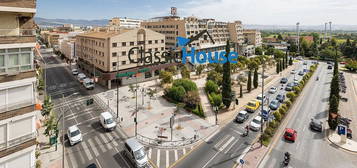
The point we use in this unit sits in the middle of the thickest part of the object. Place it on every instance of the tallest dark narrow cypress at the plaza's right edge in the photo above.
(227, 83)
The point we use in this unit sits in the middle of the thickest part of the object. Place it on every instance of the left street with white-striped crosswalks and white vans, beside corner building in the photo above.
(99, 147)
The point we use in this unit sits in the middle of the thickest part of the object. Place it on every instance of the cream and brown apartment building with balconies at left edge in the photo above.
(17, 84)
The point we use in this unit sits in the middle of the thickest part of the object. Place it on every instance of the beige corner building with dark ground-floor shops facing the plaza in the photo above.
(106, 54)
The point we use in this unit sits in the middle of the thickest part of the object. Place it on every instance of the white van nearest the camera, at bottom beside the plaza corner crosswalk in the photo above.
(136, 153)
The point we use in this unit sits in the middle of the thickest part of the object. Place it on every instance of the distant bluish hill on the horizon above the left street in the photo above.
(77, 22)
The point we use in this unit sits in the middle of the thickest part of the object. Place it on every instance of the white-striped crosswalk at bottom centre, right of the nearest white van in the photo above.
(164, 158)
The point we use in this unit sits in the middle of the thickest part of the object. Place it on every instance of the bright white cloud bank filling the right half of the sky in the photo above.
(282, 12)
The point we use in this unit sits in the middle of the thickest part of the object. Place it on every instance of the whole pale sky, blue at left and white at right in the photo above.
(265, 12)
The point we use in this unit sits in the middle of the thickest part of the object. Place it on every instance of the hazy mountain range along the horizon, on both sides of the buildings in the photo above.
(102, 22)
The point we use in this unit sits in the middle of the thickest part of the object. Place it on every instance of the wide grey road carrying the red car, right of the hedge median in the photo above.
(311, 148)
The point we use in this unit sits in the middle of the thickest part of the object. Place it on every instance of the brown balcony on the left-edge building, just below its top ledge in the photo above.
(11, 36)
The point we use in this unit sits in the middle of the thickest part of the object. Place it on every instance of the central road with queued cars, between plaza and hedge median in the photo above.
(225, 146)
